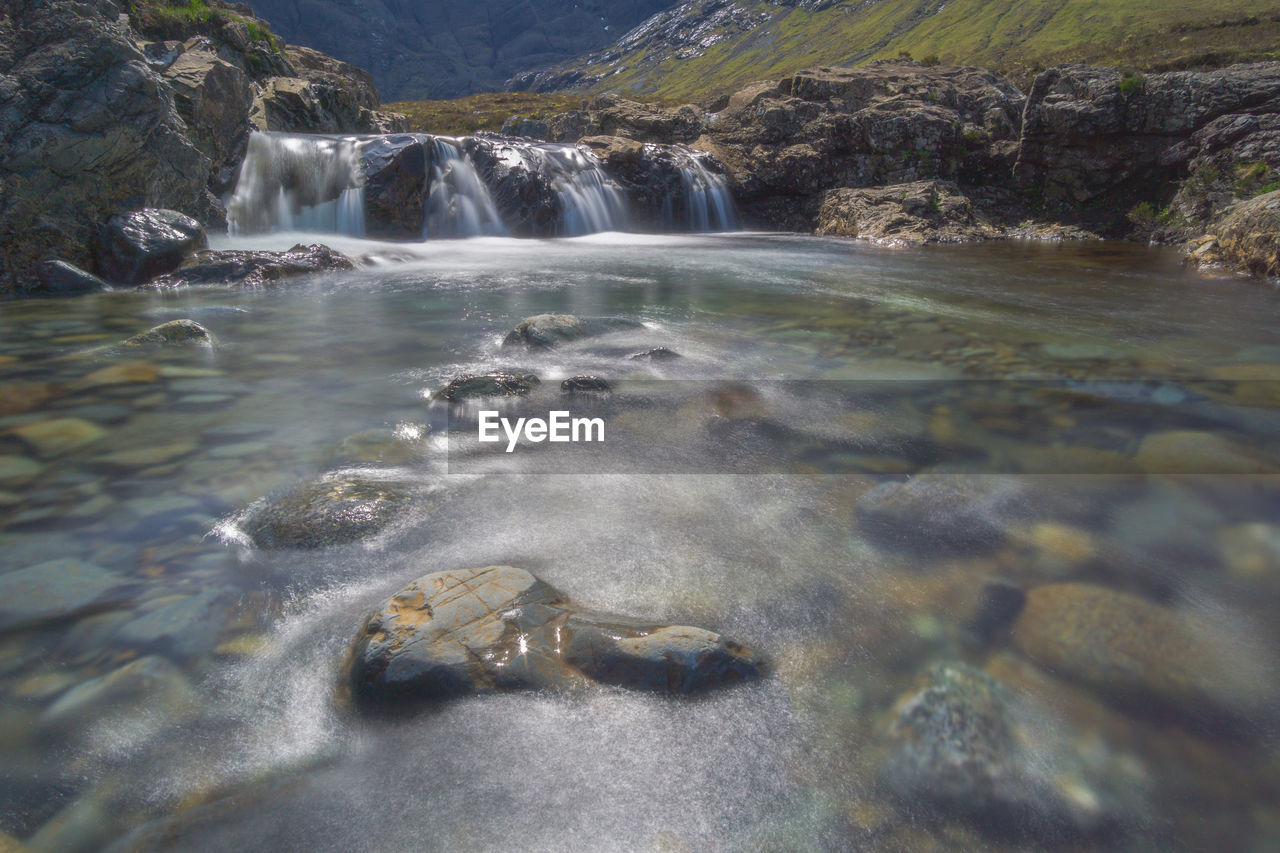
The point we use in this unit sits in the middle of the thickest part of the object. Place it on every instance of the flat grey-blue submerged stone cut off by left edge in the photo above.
(54, 591)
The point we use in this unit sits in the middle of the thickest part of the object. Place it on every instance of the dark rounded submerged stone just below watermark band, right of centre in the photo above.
(938, 516)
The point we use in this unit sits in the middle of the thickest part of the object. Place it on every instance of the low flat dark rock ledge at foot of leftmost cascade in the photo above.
(254, 268)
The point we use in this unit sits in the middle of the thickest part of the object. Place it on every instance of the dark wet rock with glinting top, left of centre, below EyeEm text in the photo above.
(327, 513)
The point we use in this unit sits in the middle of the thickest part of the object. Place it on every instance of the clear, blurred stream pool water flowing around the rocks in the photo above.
(248, 743)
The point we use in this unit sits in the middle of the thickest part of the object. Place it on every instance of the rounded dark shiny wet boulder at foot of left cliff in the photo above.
(138, 247)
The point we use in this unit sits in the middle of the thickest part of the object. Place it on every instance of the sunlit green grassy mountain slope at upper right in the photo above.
(711, 47)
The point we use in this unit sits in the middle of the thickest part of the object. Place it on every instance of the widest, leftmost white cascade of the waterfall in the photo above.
(299, 183)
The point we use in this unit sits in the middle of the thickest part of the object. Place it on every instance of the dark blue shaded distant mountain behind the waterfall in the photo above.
(435, 49)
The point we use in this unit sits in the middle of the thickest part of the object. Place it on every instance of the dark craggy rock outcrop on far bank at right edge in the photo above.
(1098, 144)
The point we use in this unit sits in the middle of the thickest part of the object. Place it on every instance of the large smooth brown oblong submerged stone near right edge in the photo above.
(1145, 656)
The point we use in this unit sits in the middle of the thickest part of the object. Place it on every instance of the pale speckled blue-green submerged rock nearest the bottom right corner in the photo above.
(966, 746)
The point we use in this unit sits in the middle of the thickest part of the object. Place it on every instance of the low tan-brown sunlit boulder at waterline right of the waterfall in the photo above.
(927, 212)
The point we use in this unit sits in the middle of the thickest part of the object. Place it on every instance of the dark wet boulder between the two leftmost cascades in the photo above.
(397, 180)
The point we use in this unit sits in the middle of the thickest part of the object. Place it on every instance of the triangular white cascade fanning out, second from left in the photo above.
(459, 203)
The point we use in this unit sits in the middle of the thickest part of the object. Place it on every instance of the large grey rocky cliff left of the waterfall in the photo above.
(107, 108)
